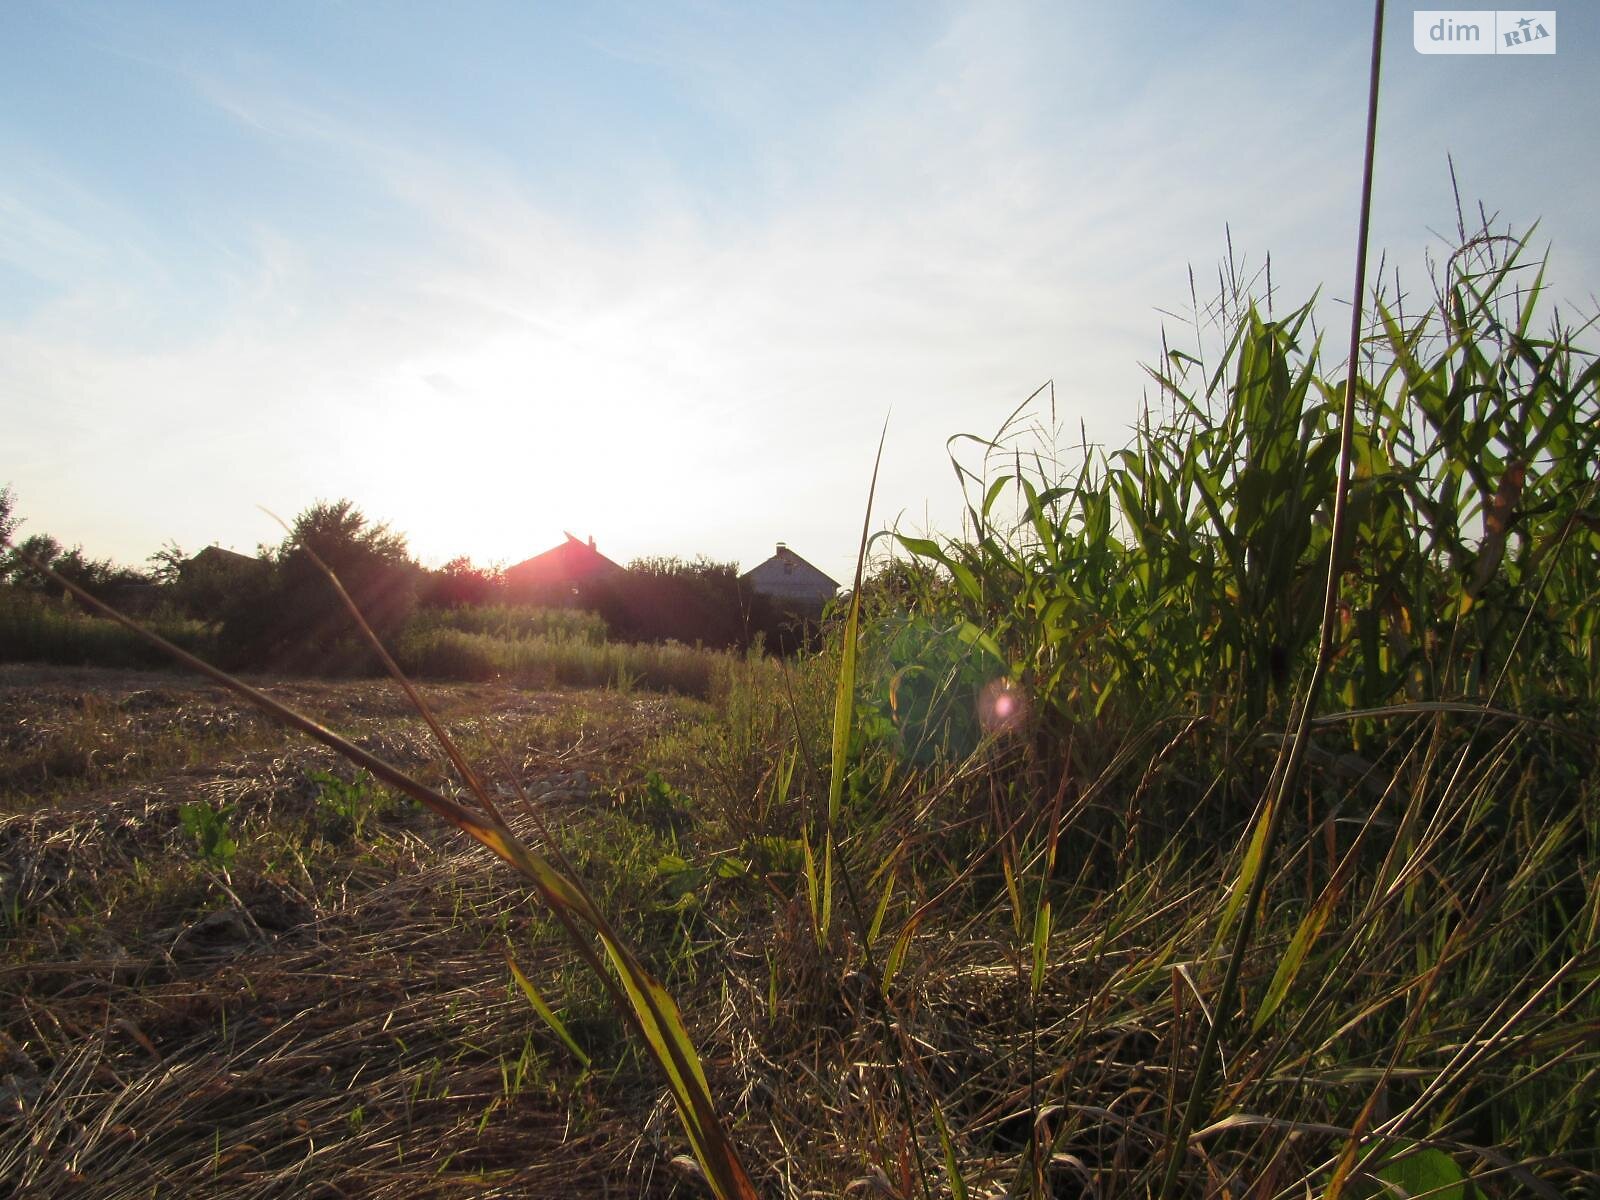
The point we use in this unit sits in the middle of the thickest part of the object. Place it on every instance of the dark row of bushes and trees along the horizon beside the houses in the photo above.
(278, 609)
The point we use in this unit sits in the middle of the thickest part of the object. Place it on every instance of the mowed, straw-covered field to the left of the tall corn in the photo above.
(321, 1004)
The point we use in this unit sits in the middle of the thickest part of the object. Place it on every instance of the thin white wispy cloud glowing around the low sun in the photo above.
(487, 364)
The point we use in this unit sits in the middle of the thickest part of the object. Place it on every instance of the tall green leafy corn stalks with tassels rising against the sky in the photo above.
(1190, 564)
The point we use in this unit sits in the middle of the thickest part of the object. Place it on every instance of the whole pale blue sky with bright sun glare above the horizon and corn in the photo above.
(660, 273)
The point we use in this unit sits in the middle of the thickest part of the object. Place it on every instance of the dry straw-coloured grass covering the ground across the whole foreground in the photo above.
(332, 1015)
